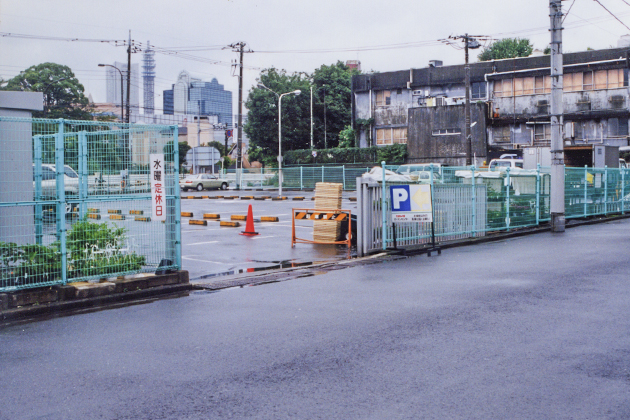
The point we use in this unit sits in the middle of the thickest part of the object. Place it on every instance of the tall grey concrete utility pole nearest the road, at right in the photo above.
(557, 110)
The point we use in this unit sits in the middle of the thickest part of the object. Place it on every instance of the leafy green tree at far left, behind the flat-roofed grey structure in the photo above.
(63, 94)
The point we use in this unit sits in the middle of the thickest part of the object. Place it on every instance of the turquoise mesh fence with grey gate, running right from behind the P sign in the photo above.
(470, 201)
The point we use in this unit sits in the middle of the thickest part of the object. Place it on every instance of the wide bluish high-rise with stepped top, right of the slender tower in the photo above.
(191, 95)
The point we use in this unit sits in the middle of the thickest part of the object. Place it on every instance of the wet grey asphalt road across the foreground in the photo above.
(535, 327)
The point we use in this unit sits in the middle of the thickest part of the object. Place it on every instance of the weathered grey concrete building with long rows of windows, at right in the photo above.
(424, 109)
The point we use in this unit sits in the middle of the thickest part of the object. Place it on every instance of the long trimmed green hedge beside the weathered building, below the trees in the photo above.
(393, 154)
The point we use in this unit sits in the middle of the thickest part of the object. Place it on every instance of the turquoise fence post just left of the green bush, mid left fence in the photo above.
(61, 199)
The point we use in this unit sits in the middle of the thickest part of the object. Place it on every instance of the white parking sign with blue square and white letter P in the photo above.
(411, 203)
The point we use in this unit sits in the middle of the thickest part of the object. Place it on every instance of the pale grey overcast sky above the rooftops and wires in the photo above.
(296, 35)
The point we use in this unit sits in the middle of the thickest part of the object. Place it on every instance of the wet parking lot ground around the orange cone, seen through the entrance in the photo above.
(211, 251)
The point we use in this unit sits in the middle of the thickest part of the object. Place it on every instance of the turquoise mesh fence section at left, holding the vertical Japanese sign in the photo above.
(75, 201)
